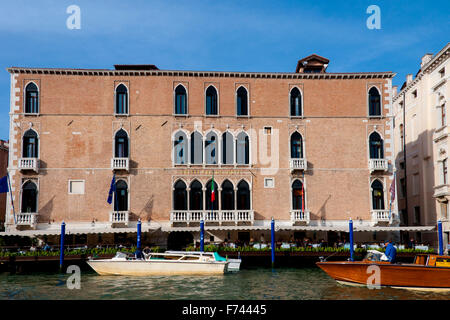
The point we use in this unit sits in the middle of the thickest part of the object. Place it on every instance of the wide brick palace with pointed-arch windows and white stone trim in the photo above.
(310, 149)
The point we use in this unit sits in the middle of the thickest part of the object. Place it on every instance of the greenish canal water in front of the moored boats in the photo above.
(248, 284)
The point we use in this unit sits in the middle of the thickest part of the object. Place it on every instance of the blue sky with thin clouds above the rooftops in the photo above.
(212, 35)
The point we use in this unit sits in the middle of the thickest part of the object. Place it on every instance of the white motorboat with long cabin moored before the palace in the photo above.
(160, 264)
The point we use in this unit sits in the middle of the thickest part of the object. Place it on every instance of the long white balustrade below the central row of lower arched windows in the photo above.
(219, 216)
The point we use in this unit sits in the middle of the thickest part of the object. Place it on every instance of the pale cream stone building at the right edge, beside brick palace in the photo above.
(421, 146)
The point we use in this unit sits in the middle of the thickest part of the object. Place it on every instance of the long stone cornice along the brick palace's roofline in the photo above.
(220, 74)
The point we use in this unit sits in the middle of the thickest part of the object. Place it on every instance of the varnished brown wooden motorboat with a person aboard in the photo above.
(429, 272)
